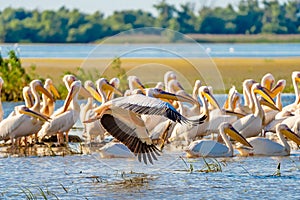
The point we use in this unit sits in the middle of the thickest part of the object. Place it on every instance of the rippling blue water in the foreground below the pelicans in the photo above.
(91, 177)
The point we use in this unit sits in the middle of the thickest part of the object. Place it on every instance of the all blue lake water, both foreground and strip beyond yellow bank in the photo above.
(91, 177)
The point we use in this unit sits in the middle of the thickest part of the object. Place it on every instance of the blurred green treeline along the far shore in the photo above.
(64, 25)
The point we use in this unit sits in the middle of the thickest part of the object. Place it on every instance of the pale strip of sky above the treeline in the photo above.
(106, 7)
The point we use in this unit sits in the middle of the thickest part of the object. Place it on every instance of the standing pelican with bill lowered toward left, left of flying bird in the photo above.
(63, 122)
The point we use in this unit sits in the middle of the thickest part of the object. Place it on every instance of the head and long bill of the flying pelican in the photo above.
(158, 93)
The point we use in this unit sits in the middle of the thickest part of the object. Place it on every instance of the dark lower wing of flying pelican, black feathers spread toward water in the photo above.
(129, 136)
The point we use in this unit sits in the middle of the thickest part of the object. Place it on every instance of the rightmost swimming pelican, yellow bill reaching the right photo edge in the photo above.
(266, 147)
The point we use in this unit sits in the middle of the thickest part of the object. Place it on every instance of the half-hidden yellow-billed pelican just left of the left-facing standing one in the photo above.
(49, 105)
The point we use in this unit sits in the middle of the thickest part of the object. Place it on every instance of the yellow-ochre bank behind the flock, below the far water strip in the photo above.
(231, 71)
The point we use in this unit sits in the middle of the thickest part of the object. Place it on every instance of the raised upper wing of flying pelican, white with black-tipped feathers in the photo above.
(141, 104)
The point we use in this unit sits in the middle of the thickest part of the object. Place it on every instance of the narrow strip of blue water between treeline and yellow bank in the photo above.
(193, 50)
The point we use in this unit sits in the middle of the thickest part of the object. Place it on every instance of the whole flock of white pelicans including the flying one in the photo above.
(135, 122)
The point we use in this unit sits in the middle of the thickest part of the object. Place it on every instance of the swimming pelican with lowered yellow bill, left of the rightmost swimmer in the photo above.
(211, 148)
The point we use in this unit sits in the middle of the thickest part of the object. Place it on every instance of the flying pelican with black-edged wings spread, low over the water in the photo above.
(121, 117)
